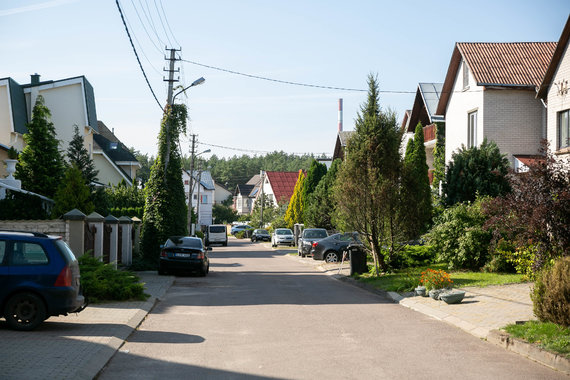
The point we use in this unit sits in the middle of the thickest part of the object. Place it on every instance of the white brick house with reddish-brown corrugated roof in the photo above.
(490, 92)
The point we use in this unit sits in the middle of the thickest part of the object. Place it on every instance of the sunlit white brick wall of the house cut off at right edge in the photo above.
(558, 102)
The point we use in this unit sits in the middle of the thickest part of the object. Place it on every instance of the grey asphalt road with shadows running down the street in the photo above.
(259, 314)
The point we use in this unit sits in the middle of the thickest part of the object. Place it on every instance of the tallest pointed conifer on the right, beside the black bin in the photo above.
(368, 183)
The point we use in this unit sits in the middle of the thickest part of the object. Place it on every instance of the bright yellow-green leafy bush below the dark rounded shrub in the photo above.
(459, 238)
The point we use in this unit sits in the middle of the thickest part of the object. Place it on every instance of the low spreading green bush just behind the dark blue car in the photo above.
(102, 282)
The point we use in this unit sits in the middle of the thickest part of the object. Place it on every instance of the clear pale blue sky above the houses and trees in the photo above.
(329, 43)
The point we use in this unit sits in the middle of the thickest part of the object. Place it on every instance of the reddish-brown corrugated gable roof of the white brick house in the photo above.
(498, 64)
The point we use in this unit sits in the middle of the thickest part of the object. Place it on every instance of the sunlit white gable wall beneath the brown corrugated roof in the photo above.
(460, 103)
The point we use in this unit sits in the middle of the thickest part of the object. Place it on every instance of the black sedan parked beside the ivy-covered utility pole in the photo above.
(184, 253)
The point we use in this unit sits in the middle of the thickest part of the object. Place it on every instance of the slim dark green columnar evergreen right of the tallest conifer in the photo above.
(416, 207)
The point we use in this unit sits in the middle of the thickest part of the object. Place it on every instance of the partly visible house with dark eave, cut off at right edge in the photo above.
(554, 91)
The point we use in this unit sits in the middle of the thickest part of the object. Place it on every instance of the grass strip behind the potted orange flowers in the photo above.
(408, 279)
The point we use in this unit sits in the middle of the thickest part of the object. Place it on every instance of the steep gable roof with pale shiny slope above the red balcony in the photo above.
(425, 105)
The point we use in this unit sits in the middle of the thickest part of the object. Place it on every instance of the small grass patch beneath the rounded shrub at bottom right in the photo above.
(547, 335)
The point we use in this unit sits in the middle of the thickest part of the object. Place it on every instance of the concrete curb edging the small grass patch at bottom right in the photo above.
(531, 351)
